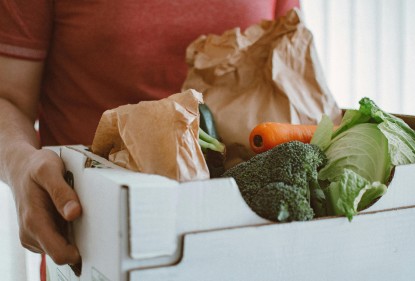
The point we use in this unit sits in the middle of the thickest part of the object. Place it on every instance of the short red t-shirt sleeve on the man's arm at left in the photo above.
(25, 28)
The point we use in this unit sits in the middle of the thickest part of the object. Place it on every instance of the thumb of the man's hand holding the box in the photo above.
(49, 175)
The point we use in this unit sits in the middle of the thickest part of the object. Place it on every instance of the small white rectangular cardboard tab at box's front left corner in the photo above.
(153, 216)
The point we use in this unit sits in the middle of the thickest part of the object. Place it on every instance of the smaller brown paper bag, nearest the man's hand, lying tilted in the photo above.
(155, 137)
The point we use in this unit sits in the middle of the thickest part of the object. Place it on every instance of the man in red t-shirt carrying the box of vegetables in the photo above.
(65, 62)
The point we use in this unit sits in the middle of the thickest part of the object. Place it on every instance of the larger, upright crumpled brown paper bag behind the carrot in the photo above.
(270, 72)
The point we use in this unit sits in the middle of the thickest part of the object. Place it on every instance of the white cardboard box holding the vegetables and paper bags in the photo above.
(140, 227)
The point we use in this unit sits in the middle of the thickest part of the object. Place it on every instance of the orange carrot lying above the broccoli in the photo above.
(267, 135)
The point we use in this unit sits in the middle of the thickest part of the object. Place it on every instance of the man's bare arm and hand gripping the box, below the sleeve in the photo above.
(41, 194)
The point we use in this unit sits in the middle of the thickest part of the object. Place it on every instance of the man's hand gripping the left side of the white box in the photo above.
(45, 203)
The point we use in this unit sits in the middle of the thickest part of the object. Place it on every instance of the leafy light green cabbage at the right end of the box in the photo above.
(361, 154)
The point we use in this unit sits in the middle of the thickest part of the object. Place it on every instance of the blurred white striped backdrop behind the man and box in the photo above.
(366, 48)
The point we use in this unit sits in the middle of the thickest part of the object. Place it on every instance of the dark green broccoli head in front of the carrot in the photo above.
(279, 184)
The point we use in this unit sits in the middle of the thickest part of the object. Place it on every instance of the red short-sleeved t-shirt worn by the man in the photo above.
(102, 54)
